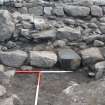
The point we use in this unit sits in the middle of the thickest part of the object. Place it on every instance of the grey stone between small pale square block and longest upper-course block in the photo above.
(58, 11)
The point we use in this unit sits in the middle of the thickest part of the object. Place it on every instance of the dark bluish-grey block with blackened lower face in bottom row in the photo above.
(69, 59)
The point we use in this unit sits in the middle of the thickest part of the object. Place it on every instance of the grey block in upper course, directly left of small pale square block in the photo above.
(37, 11)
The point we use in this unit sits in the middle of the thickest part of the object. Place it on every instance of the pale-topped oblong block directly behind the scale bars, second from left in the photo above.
(44, 59)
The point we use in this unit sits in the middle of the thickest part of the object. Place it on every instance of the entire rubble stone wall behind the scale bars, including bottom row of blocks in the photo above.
(46, 34)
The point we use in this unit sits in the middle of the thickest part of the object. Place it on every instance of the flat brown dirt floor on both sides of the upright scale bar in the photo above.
(51, 86)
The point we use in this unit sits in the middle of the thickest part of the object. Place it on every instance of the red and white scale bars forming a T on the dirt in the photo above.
(39, 72)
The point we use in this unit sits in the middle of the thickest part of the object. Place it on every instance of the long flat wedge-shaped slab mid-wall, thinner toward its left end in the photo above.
(48, 35)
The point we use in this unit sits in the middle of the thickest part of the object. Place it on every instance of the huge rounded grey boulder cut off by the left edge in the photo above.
(7, 26)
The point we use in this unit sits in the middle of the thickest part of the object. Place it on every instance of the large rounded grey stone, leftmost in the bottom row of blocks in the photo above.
(13, 58)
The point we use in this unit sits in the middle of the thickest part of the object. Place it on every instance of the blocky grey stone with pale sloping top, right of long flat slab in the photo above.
(68, 33)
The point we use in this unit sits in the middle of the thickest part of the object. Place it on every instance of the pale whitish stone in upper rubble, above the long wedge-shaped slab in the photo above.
(41, 24)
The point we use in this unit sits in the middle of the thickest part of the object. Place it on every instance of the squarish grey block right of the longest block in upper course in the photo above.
(96, 11)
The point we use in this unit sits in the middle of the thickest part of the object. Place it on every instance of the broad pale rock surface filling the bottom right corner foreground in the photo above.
(83, 94)
